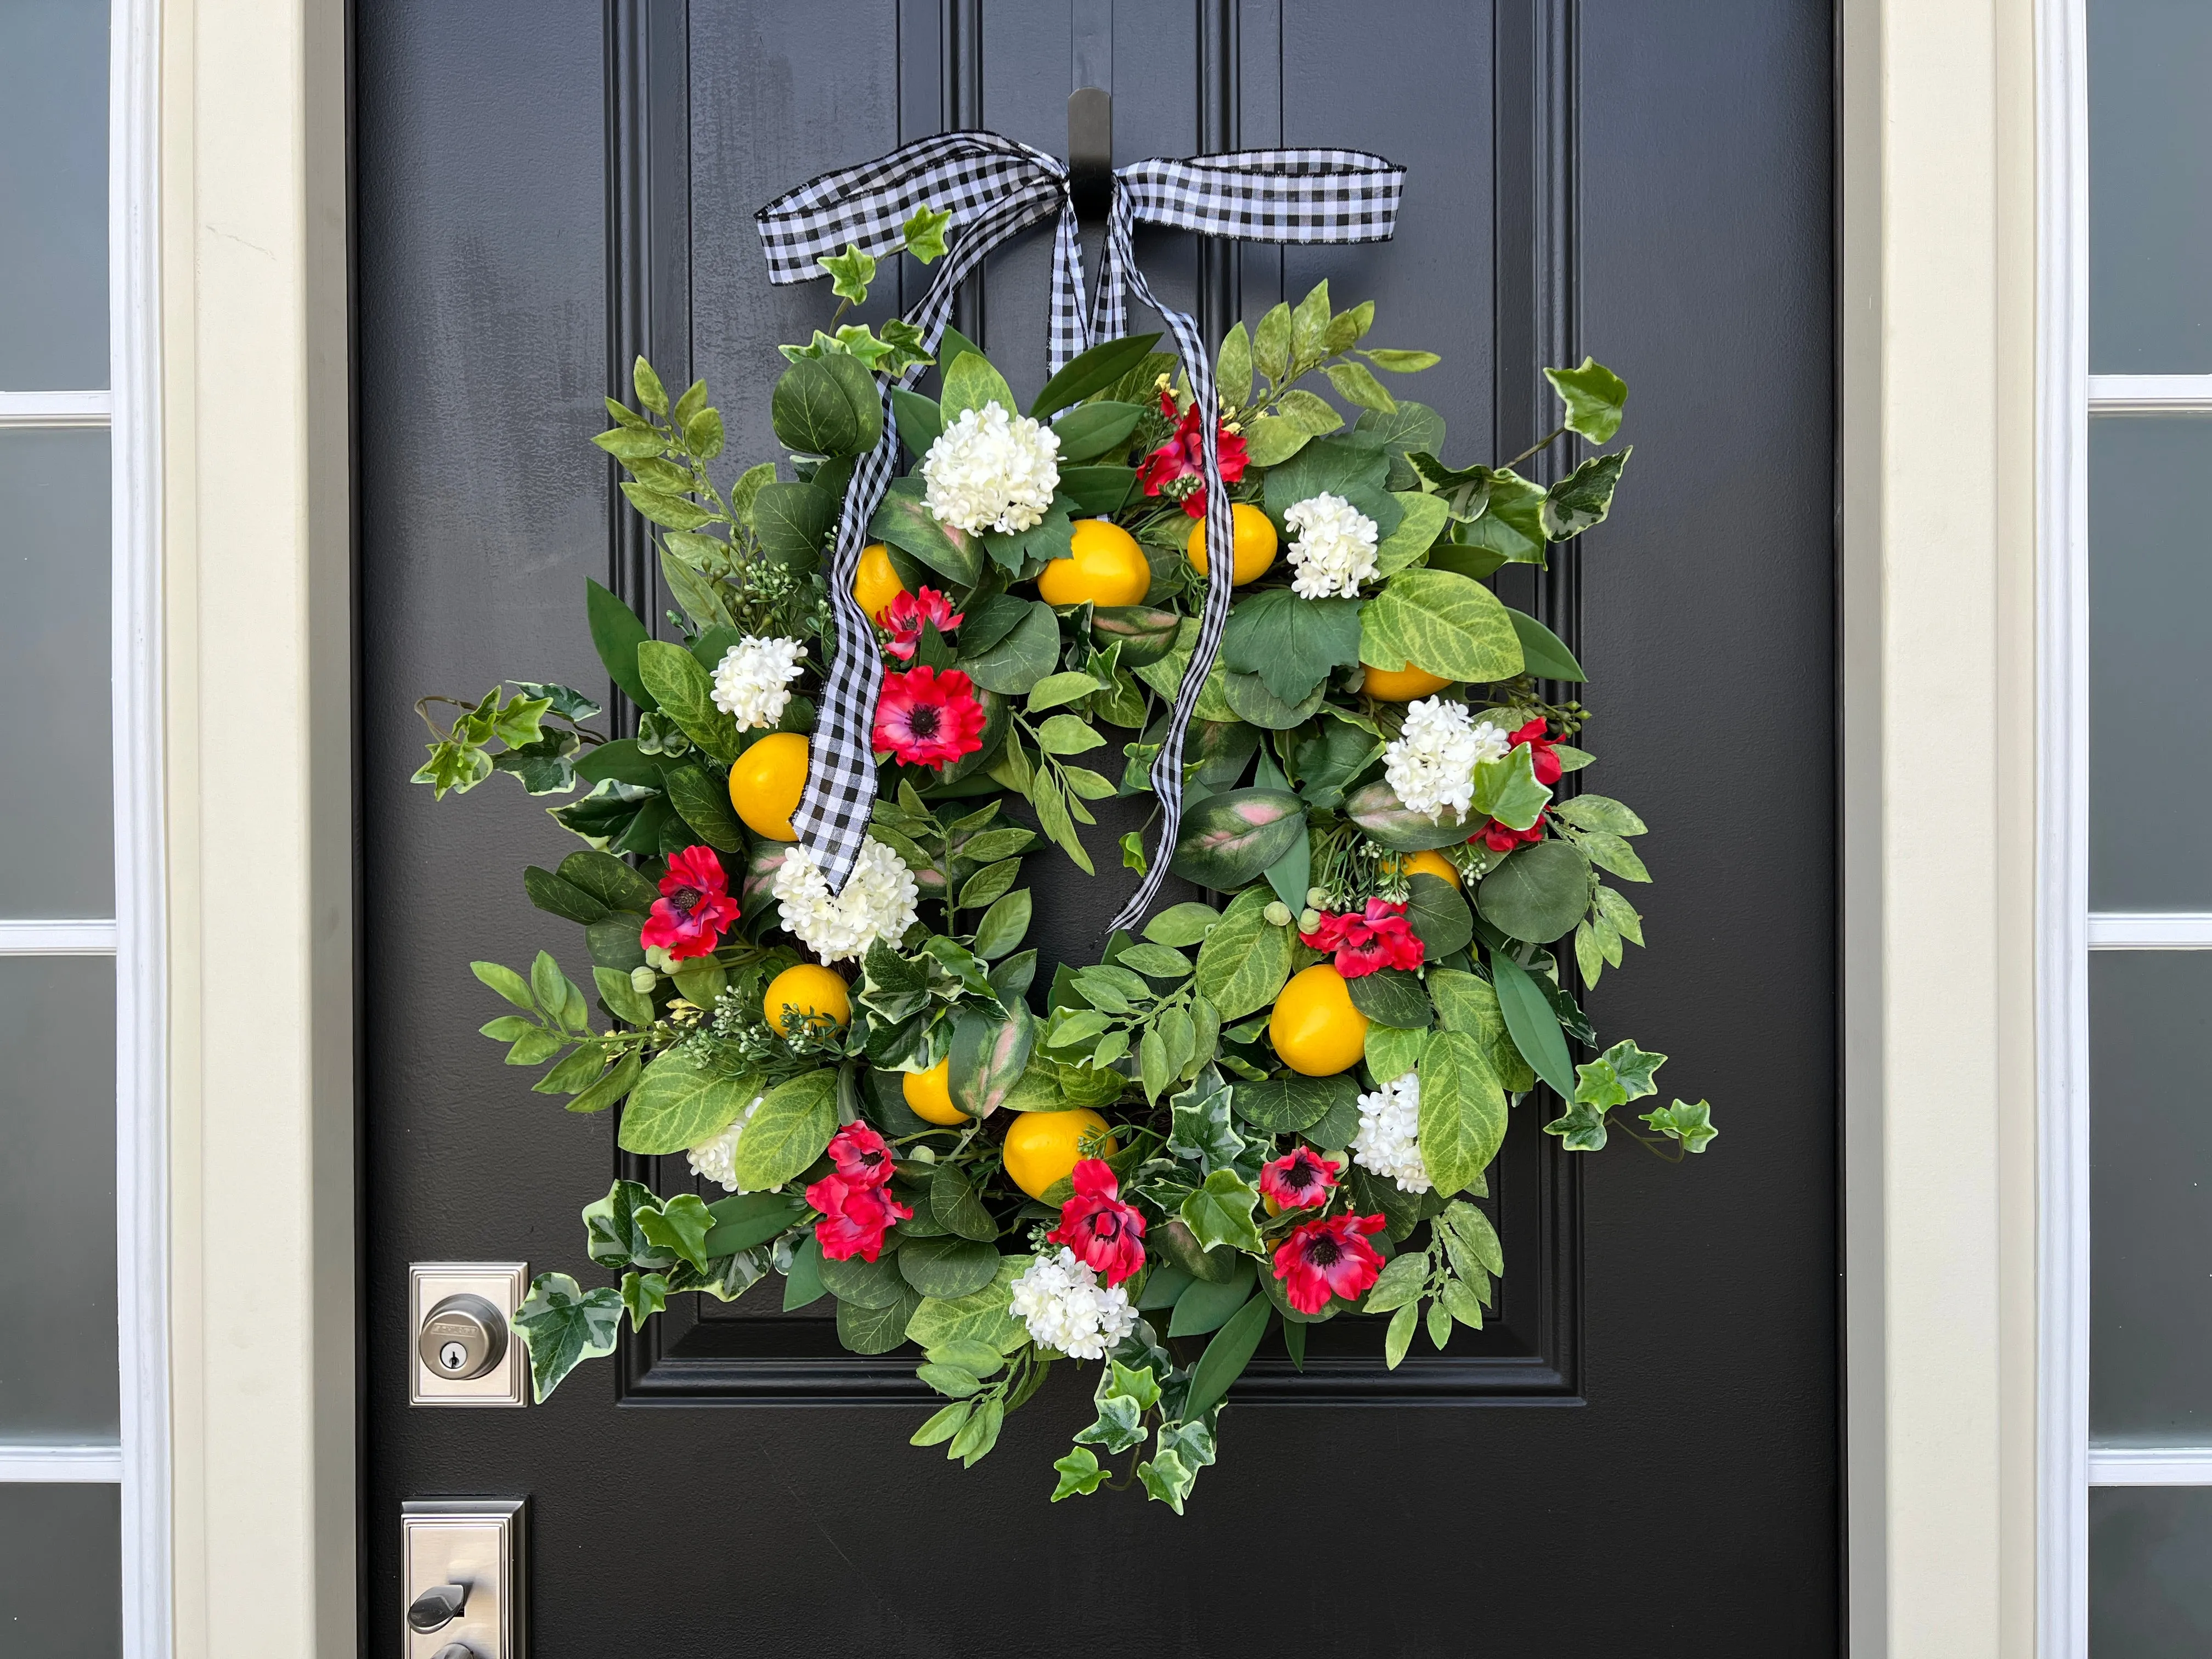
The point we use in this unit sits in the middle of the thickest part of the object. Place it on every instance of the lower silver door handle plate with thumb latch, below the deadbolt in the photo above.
(463, 1578)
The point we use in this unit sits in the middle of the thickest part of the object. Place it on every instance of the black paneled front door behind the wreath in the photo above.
(1642, 1452)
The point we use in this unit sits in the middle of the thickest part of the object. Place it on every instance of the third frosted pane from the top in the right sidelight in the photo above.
(2151, 1193)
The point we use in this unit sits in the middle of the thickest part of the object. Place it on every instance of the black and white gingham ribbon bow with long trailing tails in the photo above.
(994, 191)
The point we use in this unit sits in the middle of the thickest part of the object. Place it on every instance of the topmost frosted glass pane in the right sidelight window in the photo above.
(2149, 187)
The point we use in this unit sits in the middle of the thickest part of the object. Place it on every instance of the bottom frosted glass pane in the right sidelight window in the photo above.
(2149, 1572)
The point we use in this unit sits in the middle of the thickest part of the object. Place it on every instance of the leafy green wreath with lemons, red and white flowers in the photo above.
(1246, 1116)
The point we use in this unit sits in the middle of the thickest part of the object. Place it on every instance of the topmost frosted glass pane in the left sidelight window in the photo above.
(54, 196)
